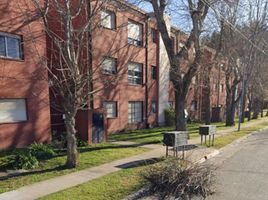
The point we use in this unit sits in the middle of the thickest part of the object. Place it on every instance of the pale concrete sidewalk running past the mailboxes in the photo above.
(56, 184)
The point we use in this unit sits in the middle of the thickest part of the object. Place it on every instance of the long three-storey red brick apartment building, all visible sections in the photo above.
(127, 46)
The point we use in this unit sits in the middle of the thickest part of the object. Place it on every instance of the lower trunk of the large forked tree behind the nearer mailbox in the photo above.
(180, 115)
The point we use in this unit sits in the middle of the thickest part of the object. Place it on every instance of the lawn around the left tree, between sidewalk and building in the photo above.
(89, 156)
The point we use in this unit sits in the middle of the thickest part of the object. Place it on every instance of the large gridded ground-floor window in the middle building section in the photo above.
(135, 112)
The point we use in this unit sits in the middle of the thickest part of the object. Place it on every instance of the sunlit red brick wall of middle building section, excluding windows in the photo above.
(114, 43)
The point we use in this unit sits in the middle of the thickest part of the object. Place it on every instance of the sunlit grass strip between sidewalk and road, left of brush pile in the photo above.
(114, 186)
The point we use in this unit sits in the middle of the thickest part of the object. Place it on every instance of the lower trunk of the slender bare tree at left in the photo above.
(72, 154)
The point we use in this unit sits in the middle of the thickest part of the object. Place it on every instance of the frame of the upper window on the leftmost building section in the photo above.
(12, 36)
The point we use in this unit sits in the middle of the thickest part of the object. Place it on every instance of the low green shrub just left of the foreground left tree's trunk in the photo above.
(41, 151)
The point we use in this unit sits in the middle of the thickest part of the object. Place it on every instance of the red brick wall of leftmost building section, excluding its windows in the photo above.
(22, 79)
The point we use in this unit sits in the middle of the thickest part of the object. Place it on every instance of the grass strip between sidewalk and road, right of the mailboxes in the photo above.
(229, 138)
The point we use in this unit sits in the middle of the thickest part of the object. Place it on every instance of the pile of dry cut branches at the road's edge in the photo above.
(179, 179)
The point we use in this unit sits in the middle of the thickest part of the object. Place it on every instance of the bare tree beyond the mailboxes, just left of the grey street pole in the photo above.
(227, 44)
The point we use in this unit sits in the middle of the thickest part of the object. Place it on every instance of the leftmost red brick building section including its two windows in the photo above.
(24, 102)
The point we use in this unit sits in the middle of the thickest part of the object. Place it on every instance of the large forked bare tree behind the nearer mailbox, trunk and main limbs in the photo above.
(198, 12)
